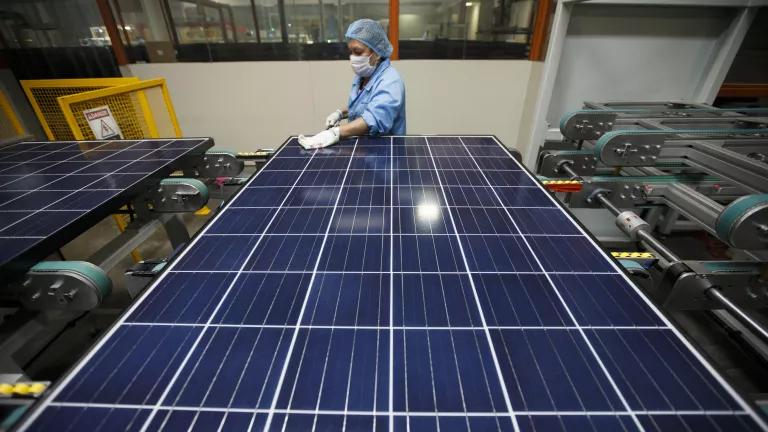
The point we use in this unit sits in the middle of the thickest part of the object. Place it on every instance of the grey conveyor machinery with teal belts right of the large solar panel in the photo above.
(665, 170)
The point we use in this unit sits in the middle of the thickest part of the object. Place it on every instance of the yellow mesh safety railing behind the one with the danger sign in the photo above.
(43, 95)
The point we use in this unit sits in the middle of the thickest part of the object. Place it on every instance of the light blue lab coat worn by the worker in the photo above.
(381, 104)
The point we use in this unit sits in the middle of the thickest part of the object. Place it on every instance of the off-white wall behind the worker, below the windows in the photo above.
(250, 105)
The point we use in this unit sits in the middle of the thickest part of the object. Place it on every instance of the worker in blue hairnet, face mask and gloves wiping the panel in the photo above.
(376, 103)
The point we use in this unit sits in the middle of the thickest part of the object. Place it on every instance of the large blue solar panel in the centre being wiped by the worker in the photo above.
(393, 284)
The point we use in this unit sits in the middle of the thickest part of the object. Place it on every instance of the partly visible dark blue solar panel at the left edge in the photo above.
(45, 187)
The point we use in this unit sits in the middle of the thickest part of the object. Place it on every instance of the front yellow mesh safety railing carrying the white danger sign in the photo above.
(141, 110)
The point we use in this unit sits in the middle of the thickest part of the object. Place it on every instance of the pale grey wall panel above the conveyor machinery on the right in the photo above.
(620, 52)
